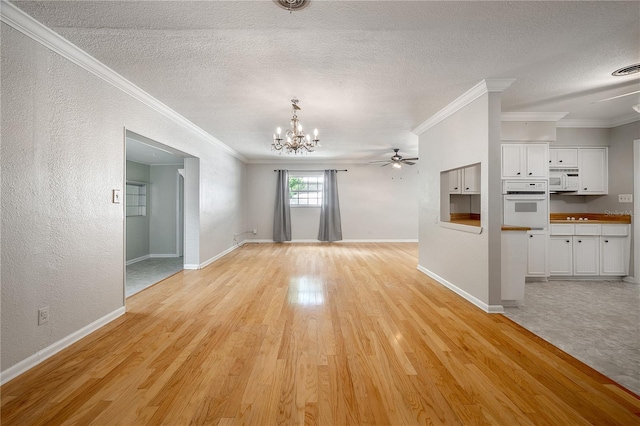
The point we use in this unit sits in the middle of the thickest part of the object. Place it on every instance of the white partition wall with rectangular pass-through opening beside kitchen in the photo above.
(467, 261)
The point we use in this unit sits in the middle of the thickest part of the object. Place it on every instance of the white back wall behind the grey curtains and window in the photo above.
(376, 203)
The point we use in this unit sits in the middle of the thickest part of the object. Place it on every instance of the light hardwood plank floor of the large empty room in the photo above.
(329, 334)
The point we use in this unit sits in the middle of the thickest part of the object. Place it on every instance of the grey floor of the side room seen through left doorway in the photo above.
(145, 273)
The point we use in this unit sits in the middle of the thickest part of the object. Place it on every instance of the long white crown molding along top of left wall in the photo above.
(20, 21)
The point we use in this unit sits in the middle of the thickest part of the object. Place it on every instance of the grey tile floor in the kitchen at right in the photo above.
(597, 322)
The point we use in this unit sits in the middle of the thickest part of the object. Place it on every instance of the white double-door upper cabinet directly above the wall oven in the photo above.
(525, 161)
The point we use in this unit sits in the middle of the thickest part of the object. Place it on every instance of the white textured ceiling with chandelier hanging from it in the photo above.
(366, 73)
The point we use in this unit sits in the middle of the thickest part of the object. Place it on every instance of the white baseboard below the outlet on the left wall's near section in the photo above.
(35, 359)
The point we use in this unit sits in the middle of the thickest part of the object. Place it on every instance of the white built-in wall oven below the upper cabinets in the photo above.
(525, 203)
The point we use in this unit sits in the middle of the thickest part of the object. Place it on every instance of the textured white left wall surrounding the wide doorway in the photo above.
(62, 154)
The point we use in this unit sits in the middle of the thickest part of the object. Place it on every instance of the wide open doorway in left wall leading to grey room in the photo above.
(158, 180)
